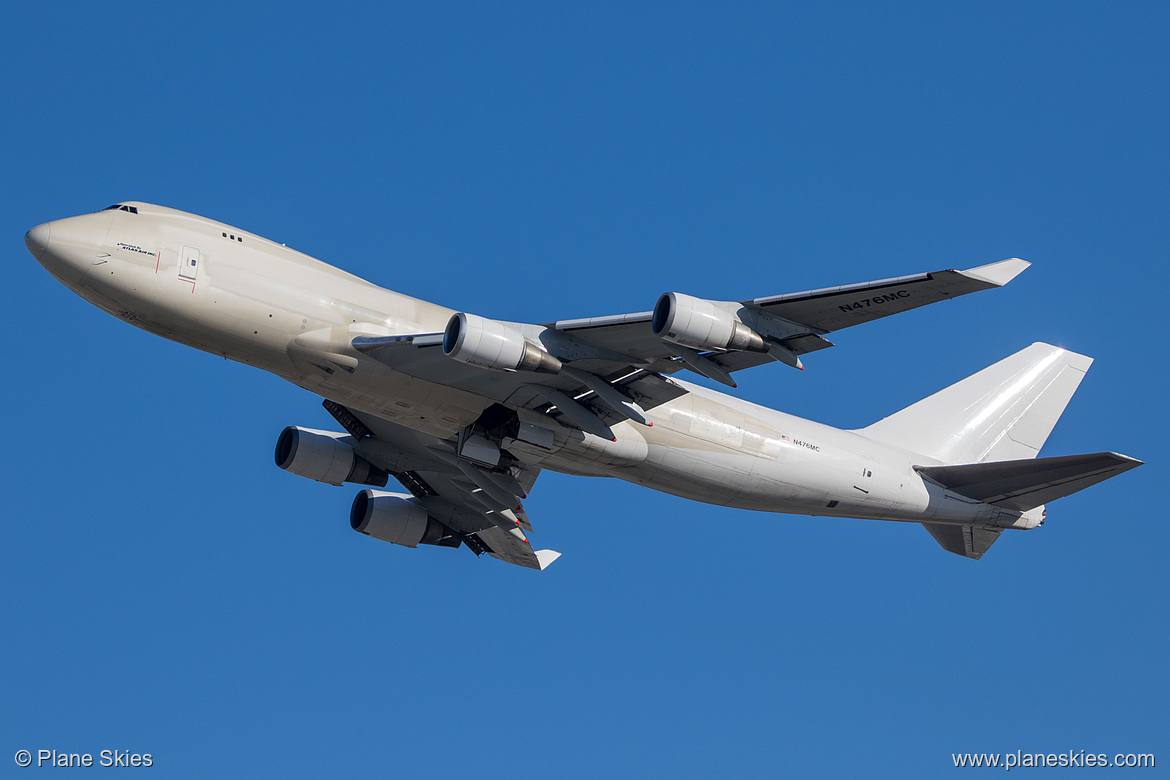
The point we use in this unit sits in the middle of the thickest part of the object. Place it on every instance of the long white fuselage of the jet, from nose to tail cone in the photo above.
(240, 296)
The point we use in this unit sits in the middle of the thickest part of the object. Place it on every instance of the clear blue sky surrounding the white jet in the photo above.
(166, 589)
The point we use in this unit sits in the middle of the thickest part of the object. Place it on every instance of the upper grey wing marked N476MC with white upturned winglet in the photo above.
(615, 369)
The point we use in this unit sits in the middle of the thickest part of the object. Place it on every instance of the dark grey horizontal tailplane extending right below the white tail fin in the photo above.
(1027, 485)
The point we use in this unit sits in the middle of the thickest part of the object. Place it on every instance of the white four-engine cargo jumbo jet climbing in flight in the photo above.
(464, 412)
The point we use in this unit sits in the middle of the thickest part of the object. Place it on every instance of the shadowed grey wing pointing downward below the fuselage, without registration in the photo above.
(484, 508)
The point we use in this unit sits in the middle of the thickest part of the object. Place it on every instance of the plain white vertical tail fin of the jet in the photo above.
(1003, 413)
